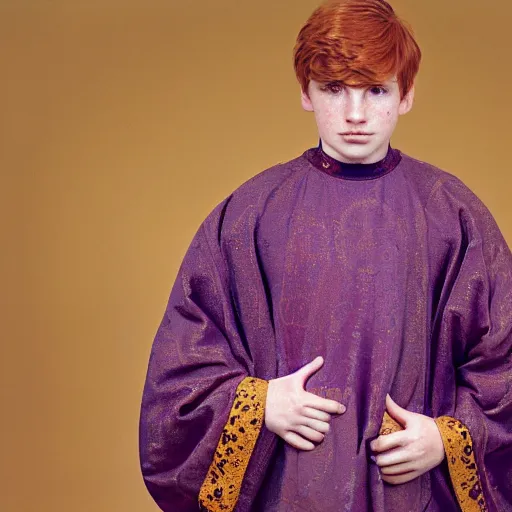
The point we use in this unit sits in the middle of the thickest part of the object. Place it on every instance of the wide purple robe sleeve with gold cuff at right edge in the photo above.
(472, 335)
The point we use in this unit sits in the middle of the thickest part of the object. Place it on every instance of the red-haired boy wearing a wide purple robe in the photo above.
(388, 269)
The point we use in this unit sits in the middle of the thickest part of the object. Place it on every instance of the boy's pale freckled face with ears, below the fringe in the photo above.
(355, 124)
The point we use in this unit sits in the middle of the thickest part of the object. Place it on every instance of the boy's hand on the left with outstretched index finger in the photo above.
(297, 416)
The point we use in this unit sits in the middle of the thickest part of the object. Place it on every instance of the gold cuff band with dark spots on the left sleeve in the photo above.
(221, 487)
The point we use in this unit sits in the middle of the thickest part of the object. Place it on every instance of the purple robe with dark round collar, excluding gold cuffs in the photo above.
(396, 274)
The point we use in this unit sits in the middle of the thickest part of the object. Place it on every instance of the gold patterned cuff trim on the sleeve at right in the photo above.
(458, 446)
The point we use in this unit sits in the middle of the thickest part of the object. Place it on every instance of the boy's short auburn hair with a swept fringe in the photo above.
(357, 42)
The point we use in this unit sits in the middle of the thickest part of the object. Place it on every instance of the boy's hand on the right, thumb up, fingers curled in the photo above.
(407, 454)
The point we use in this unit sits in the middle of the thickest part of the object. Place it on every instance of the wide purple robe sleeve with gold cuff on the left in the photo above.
(202, 411)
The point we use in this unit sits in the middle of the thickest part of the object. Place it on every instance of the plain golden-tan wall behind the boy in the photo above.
(122, 124)
